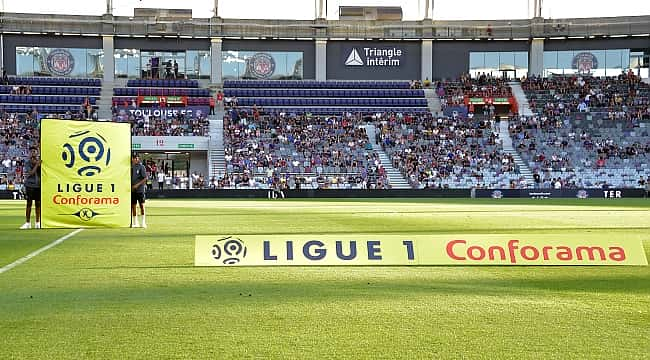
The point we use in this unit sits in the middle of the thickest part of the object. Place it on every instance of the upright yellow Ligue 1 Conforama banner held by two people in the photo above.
(85, 174)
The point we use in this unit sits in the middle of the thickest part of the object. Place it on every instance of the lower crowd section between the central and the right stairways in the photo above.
(442, 152)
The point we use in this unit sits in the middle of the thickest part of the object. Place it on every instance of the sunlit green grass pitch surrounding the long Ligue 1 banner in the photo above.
(133, 293)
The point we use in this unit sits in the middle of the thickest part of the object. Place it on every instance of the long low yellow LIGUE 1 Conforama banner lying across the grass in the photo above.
(468, 249)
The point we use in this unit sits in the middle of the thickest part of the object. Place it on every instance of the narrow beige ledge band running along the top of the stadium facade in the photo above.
(404, 30)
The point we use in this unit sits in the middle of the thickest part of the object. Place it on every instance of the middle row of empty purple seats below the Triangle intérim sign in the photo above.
(324, 93)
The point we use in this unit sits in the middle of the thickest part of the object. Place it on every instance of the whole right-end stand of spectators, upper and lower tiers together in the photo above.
(589, 132)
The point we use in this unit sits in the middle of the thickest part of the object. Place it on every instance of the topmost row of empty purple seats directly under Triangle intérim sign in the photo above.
(313, 84)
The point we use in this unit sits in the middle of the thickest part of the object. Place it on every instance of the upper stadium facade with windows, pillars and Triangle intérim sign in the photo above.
(322, 49)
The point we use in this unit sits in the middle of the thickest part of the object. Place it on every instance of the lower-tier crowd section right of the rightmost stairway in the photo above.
(570, 153)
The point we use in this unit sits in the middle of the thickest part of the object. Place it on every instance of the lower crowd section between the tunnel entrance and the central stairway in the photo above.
(294, 151)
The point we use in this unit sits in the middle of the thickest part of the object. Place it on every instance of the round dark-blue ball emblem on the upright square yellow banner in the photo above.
(88, 155)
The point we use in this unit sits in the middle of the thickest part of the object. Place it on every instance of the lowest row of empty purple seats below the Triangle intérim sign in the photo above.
(332, 102)
